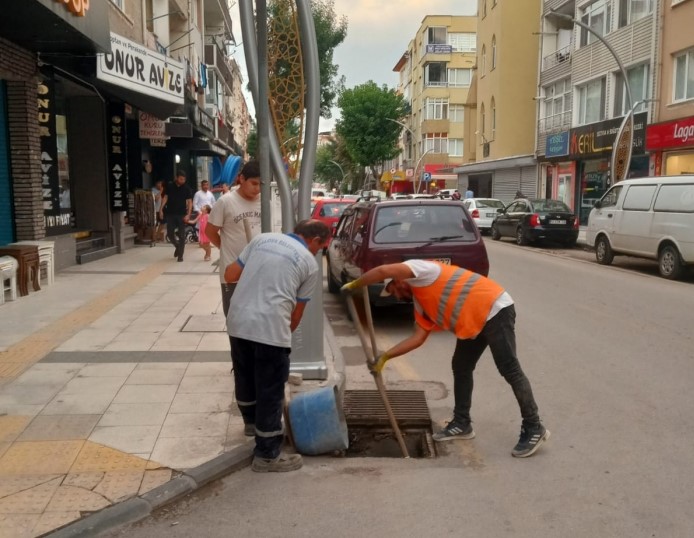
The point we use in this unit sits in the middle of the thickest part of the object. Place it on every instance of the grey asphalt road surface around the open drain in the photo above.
(610, 354)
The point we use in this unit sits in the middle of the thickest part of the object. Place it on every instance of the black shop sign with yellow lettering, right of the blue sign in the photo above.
(598, 138)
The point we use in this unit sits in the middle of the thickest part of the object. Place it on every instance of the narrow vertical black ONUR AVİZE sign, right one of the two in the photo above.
(117, 167)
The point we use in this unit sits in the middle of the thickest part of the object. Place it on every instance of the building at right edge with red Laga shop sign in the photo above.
(670, 139)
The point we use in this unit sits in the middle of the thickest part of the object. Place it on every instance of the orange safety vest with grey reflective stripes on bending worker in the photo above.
(458, 300)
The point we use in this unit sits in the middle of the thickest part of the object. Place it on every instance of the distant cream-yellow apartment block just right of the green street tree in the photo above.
(435, 75)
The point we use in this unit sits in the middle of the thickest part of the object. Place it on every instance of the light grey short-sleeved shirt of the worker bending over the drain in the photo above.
(278, 272)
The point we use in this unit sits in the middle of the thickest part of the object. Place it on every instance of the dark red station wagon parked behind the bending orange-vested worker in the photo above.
(371, 233)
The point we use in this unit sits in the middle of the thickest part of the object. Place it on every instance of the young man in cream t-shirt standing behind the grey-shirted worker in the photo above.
(234, 221)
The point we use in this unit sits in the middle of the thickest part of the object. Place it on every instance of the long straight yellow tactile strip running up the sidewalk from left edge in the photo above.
(35, 346)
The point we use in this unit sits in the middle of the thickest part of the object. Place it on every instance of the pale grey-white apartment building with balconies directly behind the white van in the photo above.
(583, 96)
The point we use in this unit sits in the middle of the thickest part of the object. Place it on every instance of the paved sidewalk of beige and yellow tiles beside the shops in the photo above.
(112, 381)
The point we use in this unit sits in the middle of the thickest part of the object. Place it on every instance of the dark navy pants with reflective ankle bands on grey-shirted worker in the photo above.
(260, 372)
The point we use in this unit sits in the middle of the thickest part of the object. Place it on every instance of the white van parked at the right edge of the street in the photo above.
(649, 218)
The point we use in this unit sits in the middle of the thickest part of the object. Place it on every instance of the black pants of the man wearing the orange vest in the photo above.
(499, 334)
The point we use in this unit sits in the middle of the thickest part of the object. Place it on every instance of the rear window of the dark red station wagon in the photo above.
(422, 223)
